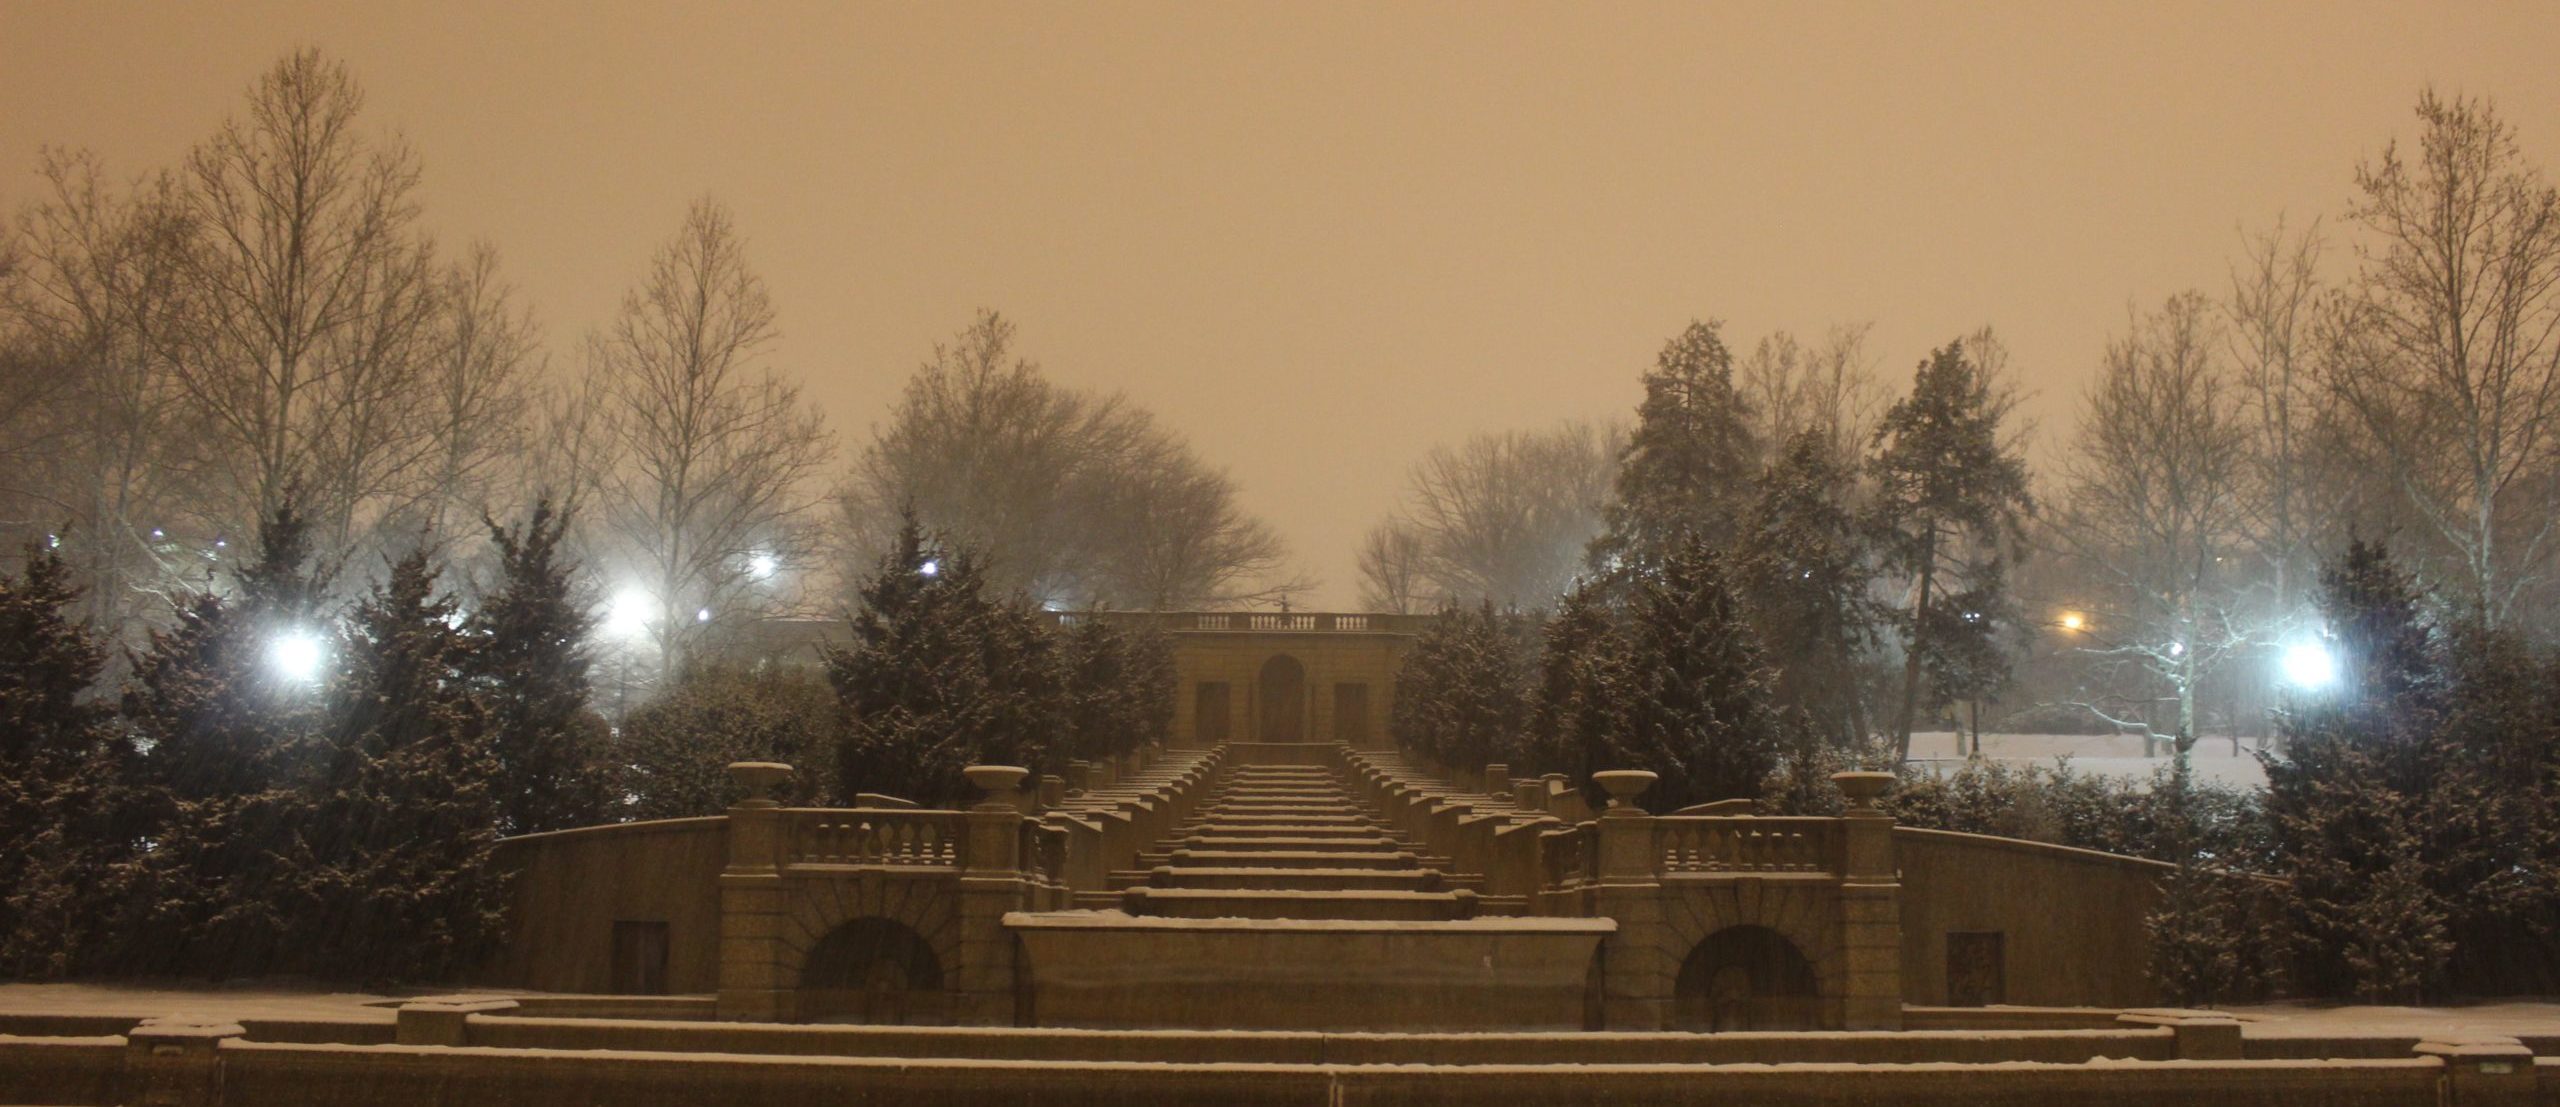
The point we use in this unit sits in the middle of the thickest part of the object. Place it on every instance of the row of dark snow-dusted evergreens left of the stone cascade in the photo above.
(285, 785)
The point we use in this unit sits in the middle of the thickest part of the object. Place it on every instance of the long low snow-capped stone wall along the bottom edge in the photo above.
(239, 1072)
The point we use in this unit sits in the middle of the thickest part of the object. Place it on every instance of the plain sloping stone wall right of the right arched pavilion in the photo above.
(2070, 921)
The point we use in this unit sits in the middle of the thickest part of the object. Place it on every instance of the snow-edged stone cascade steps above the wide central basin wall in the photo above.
(1292, 844)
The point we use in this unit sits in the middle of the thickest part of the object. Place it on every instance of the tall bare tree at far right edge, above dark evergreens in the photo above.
(2446, 345)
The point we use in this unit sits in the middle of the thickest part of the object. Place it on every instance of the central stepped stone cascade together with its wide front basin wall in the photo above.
(1286, 903)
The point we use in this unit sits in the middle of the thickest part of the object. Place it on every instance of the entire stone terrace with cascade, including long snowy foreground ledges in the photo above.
(1284, 911)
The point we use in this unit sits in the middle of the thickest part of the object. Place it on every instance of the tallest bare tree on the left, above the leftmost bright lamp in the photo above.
(314, 306)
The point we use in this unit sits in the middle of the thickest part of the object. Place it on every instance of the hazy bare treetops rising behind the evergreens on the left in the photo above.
(273, 319)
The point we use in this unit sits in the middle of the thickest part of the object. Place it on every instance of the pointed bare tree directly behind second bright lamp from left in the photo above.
(713, 457)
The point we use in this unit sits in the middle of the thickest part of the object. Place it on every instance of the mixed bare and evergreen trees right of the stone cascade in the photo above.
(1793, 573)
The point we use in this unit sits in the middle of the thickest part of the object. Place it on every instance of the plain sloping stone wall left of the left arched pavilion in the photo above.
(570, 888)
